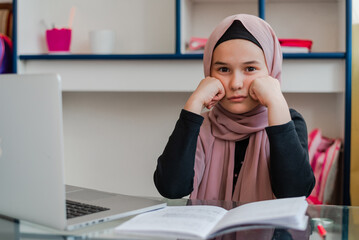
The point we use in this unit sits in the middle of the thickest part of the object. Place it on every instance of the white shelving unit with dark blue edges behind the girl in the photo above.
(167, 26)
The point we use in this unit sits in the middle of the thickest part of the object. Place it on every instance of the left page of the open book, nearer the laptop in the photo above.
(191, 220)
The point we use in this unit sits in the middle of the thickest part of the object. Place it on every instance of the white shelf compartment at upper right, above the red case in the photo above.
(325, 26)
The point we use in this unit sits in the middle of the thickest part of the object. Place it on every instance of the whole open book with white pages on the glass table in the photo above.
(204, 221)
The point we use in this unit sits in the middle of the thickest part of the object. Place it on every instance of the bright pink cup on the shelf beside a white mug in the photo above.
(58, 40)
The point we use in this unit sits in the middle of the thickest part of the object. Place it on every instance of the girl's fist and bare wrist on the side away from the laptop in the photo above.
(267, 91)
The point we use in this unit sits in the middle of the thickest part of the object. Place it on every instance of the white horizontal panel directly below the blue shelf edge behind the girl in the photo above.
(323, 76)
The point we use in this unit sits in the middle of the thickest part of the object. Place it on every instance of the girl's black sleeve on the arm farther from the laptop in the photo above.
(291, 173)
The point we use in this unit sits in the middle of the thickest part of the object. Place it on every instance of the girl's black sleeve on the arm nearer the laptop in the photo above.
(174, 174)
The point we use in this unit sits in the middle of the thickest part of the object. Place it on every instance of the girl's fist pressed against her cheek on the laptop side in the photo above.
(209, 91)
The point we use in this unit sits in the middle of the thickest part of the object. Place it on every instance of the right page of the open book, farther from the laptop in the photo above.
(287, 212)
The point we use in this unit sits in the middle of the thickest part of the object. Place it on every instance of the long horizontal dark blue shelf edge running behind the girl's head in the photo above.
(333, 55)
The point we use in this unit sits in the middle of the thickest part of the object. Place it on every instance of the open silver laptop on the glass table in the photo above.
(32, 183)
